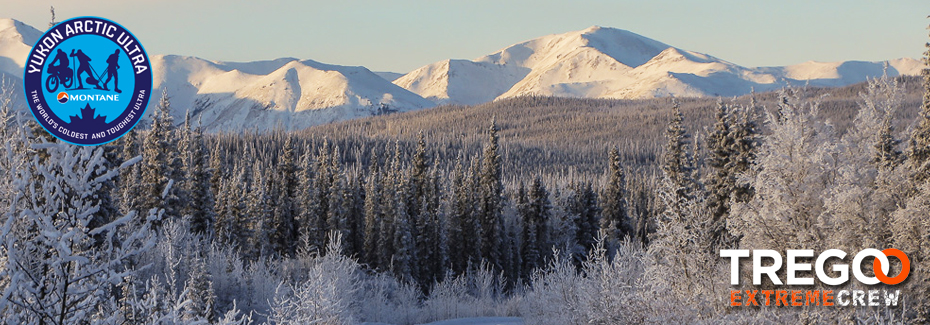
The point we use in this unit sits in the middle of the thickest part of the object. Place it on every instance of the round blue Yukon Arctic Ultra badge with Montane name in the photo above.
(98, 73)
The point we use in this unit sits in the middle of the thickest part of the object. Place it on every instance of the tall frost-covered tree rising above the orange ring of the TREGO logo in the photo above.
(866, 178)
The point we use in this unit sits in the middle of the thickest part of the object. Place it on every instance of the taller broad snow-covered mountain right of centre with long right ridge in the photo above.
(612, 63)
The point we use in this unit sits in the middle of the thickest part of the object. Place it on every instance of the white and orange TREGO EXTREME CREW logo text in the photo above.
(881, 267)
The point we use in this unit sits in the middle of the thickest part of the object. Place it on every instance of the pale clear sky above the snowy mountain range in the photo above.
(403, 35)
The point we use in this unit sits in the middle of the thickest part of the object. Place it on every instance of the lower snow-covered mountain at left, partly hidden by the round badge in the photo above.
(230, 96)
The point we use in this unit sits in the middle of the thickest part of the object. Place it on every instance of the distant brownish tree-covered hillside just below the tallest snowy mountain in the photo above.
(562, 135)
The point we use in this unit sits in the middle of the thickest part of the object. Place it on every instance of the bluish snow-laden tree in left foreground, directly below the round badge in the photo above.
(59, 268)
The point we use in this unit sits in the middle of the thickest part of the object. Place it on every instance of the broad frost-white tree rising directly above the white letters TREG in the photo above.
(796, 164)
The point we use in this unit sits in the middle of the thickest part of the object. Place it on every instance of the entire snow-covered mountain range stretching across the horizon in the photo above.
(592, 63)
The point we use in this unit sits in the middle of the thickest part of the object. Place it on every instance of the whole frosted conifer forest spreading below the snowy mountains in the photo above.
(169, 225)
